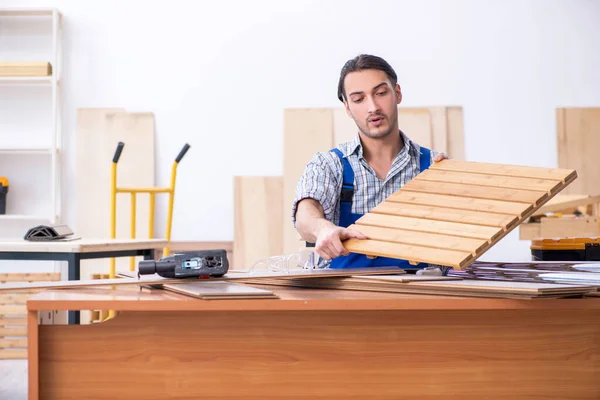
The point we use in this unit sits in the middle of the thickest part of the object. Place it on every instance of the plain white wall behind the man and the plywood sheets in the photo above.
(218, 75)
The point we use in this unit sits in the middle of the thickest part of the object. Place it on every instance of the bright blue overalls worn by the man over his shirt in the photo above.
(347, 218)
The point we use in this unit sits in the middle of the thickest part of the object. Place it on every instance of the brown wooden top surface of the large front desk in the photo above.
(136, 298)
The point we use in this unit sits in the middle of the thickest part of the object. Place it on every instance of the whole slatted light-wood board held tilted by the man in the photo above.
(455, 211)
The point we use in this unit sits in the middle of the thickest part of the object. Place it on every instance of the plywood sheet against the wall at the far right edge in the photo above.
(578, 143)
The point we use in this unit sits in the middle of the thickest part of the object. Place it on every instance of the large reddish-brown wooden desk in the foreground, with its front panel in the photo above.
(318, 344)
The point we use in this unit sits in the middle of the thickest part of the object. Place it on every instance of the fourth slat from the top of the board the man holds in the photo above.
(460, 203)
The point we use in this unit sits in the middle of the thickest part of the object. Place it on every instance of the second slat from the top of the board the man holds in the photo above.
(508, 182)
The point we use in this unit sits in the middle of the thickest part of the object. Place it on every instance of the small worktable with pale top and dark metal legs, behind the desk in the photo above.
(76, 250)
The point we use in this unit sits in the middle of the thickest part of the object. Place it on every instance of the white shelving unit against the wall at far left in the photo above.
(54, 151)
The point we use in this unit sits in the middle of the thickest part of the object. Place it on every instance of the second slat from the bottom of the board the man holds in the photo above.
(422, 239)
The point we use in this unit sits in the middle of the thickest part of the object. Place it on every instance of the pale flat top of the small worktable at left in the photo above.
(84, 245)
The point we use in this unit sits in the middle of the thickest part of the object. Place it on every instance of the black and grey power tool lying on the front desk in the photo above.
(195, 264)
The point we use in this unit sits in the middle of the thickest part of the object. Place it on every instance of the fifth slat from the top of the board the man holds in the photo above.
(444, 214)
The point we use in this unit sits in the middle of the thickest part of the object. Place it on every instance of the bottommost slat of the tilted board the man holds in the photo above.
(411, 252)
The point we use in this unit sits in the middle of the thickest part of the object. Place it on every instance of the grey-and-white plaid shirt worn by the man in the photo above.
(323, 177)
